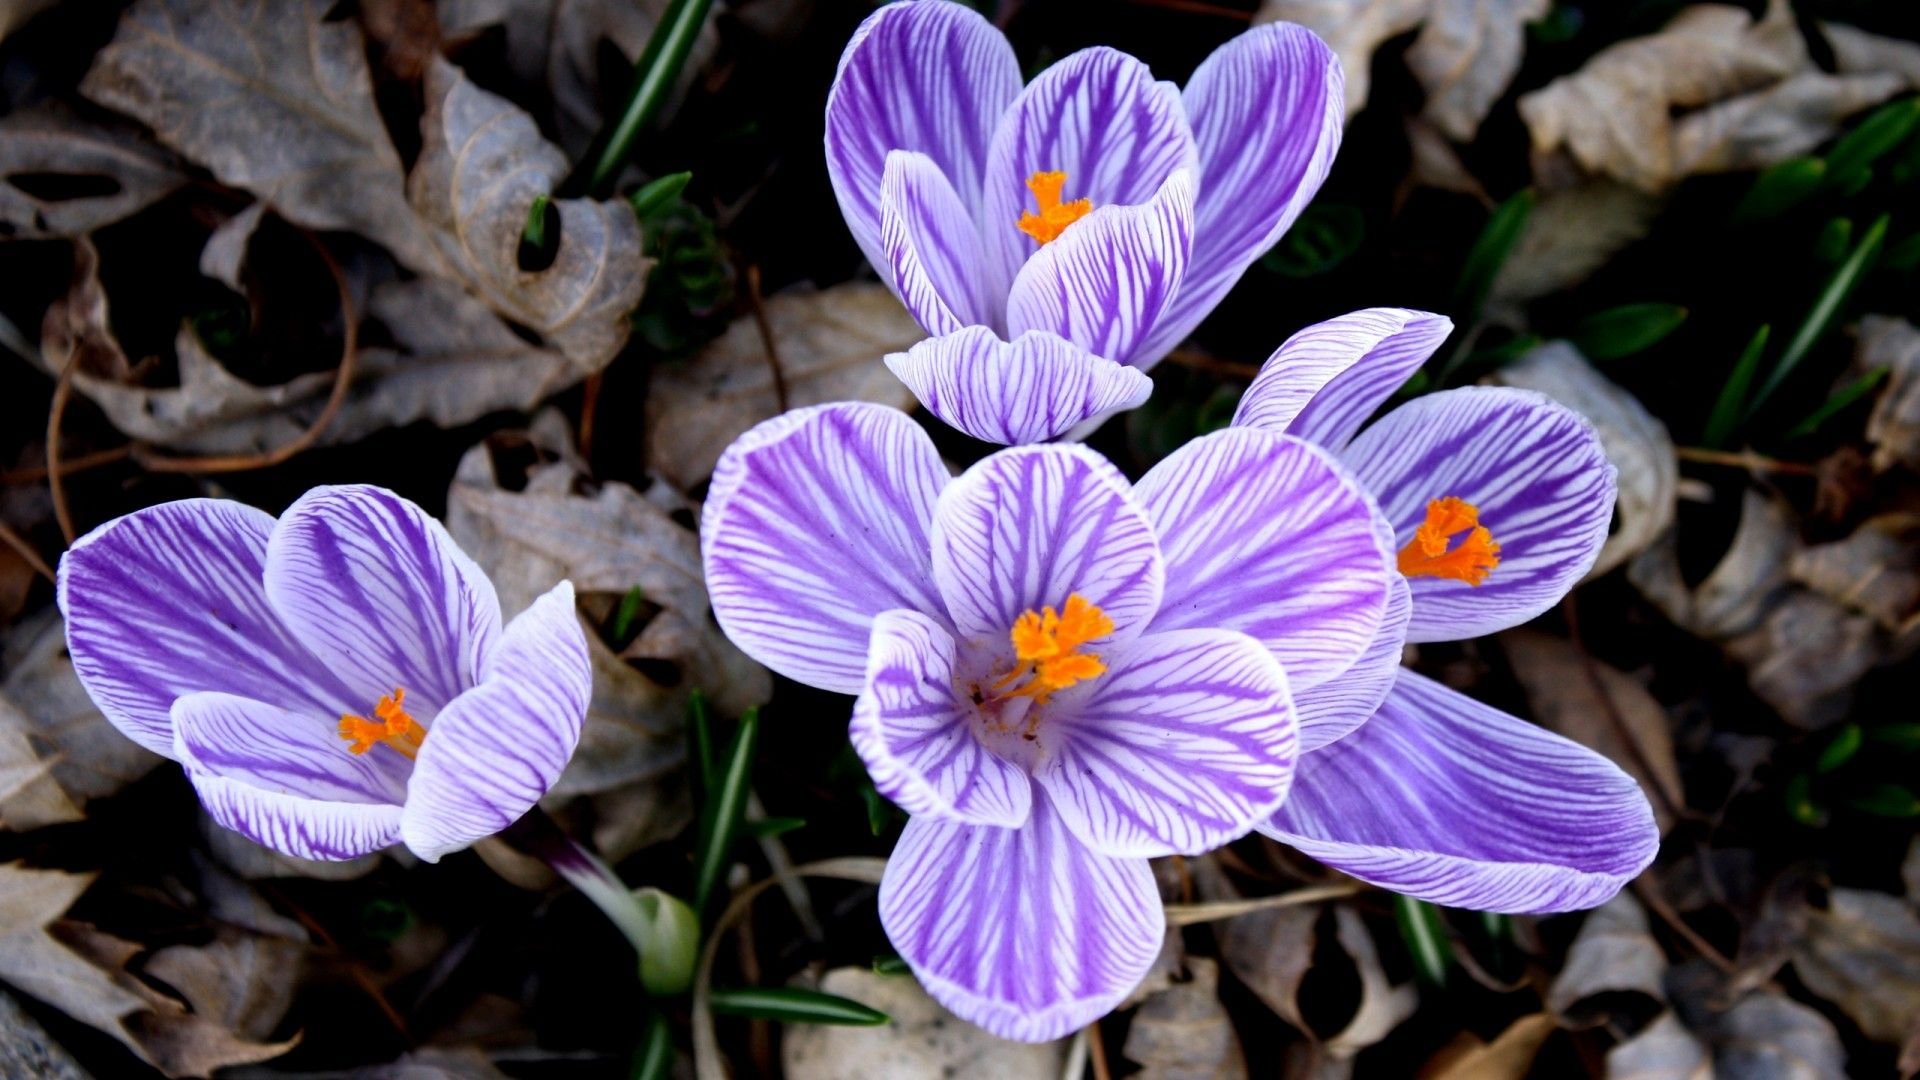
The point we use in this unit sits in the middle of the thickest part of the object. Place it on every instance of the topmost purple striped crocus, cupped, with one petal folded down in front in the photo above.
(1061, 237)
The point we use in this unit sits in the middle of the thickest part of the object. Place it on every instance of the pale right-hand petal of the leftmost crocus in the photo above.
(498, 749)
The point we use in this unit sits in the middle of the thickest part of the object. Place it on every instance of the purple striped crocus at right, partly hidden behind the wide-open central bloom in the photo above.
(1500, 503)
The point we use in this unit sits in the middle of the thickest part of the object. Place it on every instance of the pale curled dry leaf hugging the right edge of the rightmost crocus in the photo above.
(1637, 445)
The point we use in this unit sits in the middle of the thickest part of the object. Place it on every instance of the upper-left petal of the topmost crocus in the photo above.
(930, 78)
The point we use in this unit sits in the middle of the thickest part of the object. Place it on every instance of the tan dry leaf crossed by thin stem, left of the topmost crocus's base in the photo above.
(830, 349)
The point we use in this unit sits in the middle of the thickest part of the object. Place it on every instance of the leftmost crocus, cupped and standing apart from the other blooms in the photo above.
(335, 681)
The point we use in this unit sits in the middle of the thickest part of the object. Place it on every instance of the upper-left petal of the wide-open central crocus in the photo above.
(821, 522)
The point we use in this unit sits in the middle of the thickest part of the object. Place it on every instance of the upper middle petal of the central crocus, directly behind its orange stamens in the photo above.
(1028, 528)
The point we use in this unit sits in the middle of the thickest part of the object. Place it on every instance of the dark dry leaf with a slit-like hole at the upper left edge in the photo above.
(59, 147)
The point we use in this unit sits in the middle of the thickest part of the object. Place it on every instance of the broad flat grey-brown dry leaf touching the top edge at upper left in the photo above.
(274, 101)
